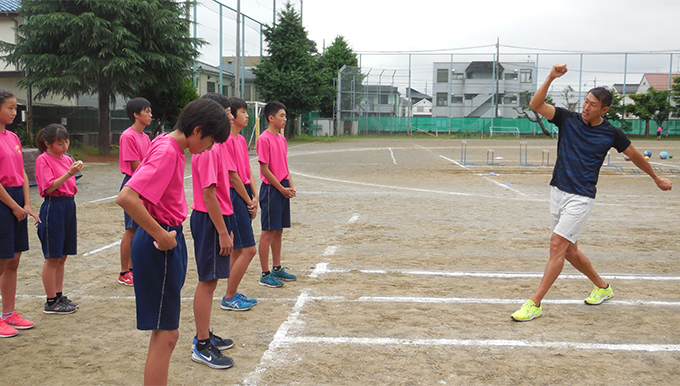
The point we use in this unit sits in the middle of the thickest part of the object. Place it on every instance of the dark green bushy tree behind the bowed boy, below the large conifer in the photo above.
(167, 102)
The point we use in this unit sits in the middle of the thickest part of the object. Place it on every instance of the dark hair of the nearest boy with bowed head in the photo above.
(207, 114)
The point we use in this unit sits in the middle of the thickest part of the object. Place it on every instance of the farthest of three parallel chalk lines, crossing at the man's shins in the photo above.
(322, 268)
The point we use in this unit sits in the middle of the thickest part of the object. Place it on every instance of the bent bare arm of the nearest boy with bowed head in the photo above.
(129, 200)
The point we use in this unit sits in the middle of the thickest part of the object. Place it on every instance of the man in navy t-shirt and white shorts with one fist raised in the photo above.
(584, 140)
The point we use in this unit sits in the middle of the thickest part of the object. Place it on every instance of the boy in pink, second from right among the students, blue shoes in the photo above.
(244, 198)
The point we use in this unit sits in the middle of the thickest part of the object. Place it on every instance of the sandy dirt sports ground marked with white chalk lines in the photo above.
(409, 265)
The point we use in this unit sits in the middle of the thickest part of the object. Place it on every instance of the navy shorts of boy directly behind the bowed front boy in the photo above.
(209, 263)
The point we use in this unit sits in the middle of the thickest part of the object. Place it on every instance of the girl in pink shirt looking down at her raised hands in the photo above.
(58, 228)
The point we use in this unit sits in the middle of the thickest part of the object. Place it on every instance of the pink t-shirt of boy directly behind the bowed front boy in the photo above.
(208, 168)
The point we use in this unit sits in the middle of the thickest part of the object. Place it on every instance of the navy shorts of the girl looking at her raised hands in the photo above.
(58, 229)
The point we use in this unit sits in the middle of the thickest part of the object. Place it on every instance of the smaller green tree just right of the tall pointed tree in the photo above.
(337, 55)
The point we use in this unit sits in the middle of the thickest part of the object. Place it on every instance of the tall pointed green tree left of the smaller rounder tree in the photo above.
(290, 74)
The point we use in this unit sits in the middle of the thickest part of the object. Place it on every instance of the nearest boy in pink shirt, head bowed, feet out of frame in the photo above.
(154, 198)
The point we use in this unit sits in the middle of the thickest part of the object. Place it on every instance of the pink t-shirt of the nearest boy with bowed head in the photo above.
(159, 181)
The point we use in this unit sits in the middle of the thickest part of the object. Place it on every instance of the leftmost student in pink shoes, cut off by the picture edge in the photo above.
(15, 207)
